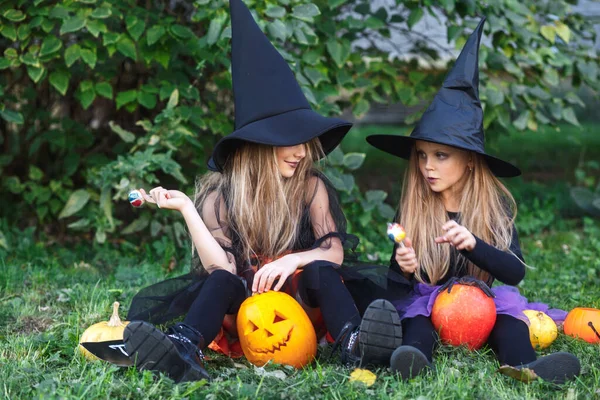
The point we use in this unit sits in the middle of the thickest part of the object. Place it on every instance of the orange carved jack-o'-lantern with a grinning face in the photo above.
(273, 327)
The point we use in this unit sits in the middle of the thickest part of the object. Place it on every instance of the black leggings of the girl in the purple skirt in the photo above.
(509, 338)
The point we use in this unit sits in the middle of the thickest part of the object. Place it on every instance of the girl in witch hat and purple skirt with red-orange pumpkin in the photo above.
(459, 220)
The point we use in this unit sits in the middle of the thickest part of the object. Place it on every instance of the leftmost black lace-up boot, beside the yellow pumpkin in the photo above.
(175, 353)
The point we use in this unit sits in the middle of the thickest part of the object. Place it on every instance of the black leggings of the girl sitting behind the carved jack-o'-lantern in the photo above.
(320, 286)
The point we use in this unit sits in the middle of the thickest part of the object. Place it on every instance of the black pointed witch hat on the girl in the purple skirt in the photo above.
(455, 116)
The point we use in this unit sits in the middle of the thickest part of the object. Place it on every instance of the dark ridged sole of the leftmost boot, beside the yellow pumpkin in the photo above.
(150, 349)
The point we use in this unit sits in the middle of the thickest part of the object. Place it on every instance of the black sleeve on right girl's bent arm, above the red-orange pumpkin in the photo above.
(502, 265)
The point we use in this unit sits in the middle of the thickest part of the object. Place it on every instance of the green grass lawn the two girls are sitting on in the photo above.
(49, 296)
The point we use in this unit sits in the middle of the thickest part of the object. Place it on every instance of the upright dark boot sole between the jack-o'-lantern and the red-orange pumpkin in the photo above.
(380, 333)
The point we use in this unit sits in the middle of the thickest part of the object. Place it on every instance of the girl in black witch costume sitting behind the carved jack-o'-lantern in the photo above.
(262, 215)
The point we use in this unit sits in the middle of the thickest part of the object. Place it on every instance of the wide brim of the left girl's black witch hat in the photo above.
(287, 129)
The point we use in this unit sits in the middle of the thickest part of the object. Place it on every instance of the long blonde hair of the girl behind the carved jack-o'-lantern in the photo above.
(263, 208)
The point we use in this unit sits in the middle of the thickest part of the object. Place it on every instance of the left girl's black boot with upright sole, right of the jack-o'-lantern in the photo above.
(373, 342)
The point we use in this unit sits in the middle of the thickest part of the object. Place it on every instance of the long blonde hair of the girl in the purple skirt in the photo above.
(487, 209)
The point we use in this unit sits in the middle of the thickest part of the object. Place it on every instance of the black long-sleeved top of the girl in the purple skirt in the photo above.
(501, 265)
